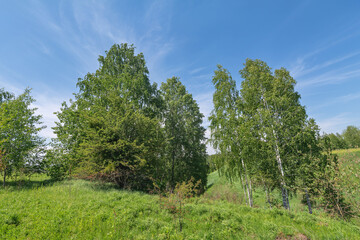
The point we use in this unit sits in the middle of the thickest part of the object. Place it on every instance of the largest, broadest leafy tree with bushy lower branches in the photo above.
(112, 126)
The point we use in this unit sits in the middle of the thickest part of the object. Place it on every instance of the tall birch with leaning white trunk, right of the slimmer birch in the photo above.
(270, 98)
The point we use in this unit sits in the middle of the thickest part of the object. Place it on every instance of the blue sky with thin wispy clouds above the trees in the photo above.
(48, 45)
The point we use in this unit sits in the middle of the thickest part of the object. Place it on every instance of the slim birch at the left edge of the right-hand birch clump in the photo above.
(227, 130)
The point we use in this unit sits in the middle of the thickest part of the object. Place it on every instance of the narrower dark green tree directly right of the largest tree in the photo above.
(185, 151)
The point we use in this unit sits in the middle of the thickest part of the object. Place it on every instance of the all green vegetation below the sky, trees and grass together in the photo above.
(122, 133)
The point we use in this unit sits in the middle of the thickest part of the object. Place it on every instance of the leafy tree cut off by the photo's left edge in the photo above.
(19, 128)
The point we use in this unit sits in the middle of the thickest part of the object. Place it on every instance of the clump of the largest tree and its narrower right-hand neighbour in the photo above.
(122, 129)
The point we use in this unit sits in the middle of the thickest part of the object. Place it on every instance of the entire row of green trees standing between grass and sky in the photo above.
(121, 128)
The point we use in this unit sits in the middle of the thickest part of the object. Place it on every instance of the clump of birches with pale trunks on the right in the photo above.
(263, 137)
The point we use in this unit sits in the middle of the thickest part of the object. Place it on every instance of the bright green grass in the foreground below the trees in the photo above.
(77, 209)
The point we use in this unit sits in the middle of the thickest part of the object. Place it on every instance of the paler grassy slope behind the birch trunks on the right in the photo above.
(348, 182)
